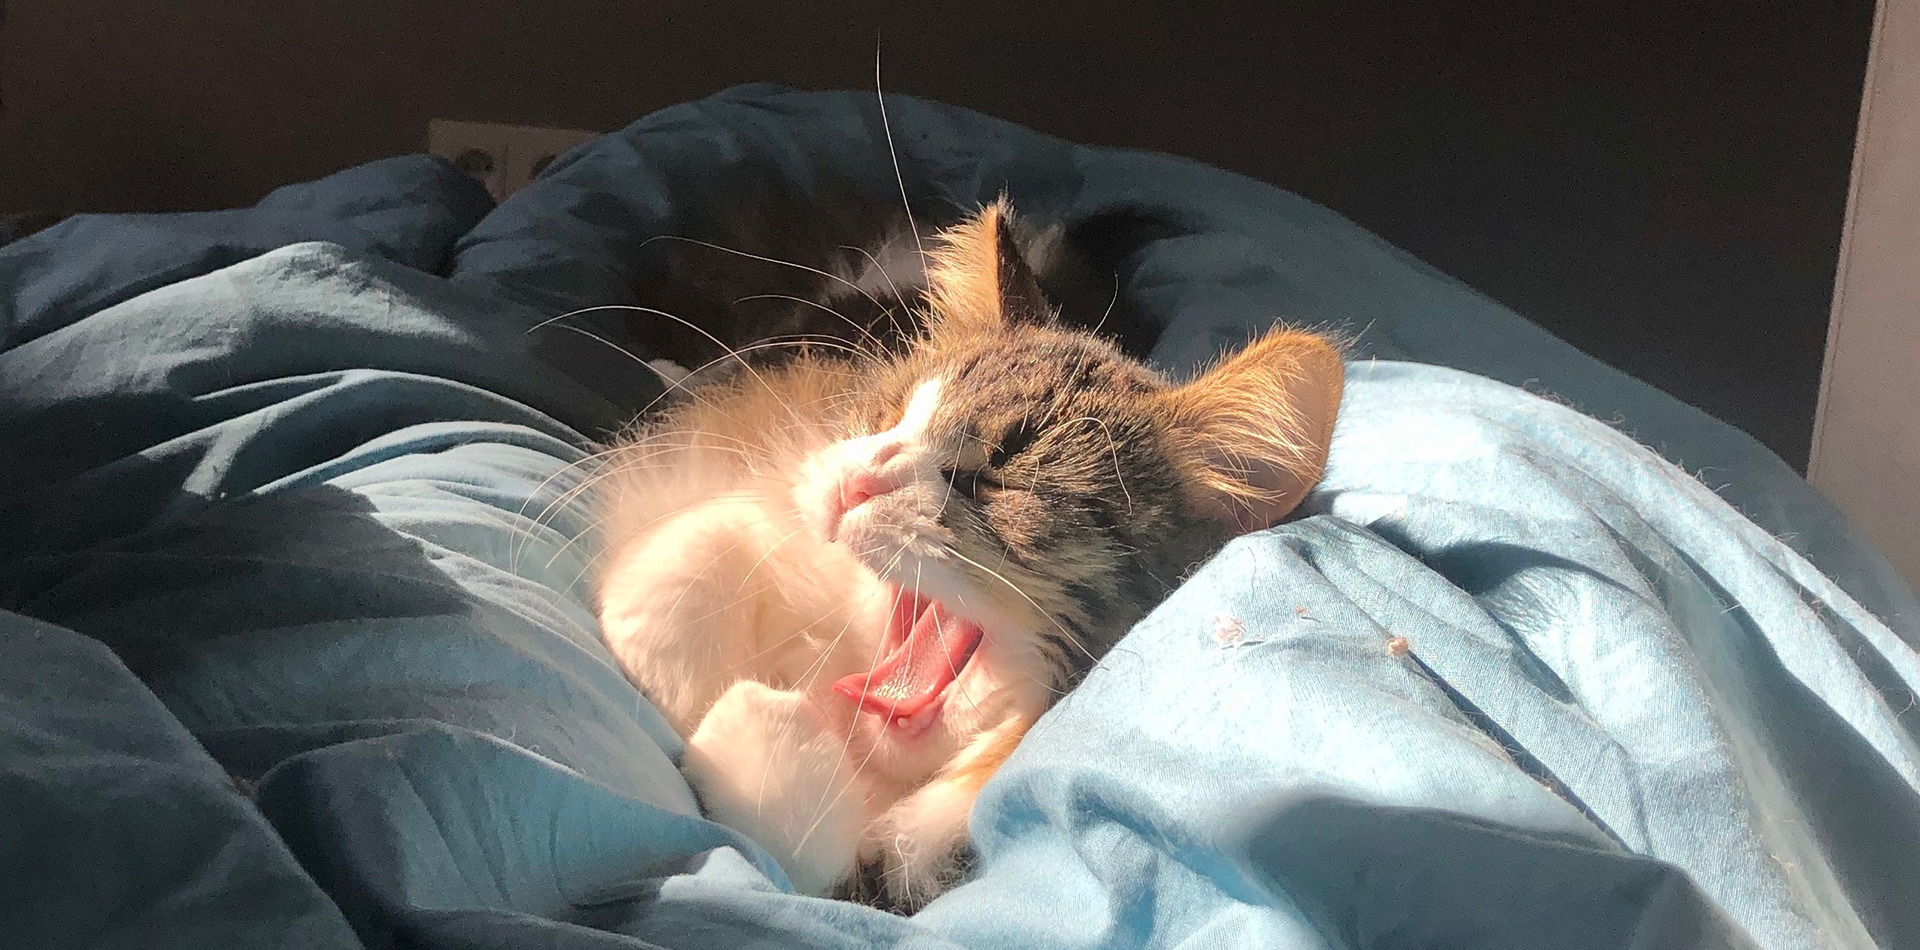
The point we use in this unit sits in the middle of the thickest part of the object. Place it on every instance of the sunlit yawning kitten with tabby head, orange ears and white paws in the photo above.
(855, 579)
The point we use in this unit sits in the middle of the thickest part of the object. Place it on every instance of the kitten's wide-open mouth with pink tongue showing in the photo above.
(926, 648)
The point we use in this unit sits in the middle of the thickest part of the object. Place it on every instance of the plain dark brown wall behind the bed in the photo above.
(1662, 187)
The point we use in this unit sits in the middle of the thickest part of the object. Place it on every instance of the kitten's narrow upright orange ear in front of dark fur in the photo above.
(978, 277)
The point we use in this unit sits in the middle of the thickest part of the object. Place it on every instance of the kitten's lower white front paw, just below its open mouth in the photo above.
(769, 765)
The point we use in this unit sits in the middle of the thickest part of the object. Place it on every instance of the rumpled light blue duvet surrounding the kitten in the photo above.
(295, 646)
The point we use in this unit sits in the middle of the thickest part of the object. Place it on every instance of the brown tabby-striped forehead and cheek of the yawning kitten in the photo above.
(1070, 488)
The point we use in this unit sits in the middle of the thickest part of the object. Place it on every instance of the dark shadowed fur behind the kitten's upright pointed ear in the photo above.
(777, 266)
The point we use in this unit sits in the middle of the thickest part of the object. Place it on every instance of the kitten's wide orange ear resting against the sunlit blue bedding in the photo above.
(1255, 431)
